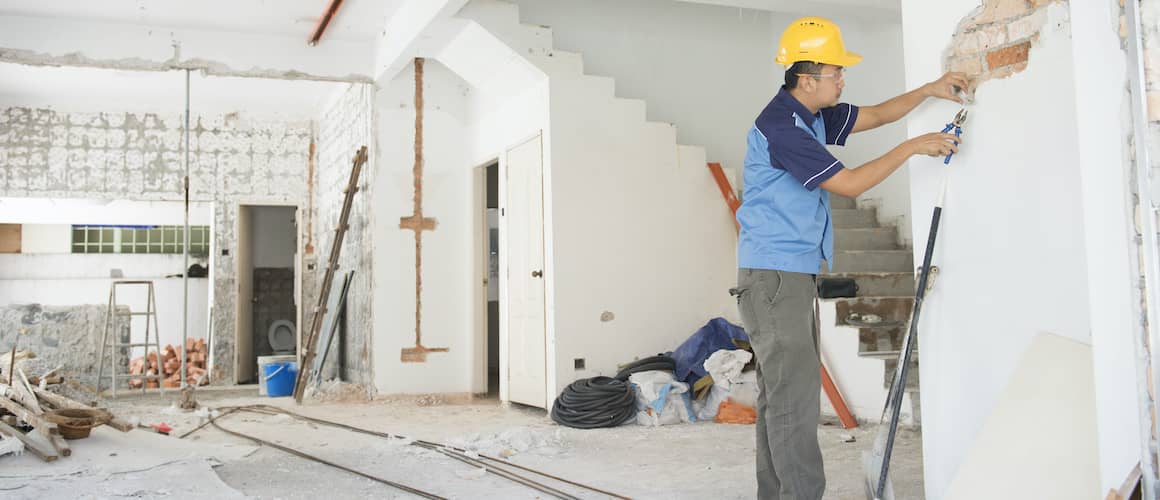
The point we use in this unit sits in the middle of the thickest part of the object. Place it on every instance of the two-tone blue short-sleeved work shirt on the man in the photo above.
(785, 218)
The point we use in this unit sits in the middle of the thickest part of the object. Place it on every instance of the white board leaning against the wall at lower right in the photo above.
(1040, 441)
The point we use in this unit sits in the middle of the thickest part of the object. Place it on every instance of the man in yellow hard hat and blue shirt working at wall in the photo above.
(787, 233)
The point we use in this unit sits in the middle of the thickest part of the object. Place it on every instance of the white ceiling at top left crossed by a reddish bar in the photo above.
(358, 20)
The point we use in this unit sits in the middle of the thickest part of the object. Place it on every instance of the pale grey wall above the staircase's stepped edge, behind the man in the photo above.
(710, 70)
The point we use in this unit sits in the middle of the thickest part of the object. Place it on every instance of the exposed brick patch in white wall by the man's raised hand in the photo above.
(998, 39)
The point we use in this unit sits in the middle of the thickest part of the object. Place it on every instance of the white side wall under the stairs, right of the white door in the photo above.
(637, 231)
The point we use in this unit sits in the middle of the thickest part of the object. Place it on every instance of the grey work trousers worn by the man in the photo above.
(778, 313)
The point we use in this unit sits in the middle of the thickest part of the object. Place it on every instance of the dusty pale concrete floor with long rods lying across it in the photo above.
(685, 461)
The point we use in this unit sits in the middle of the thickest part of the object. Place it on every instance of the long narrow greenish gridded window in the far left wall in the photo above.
(140, 240)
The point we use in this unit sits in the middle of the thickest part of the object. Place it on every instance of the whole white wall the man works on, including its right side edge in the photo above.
(1028, 241)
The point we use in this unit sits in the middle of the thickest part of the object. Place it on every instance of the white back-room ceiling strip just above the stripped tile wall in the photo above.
(96, 90)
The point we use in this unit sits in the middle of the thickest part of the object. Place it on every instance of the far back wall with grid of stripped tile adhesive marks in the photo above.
(125, 156)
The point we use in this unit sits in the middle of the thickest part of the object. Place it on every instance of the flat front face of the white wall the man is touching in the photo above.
(1011, 248)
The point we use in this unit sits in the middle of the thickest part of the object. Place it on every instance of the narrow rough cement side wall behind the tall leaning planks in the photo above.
(346, 126)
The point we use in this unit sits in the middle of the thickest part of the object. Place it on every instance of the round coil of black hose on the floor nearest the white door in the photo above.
(593, 403)
